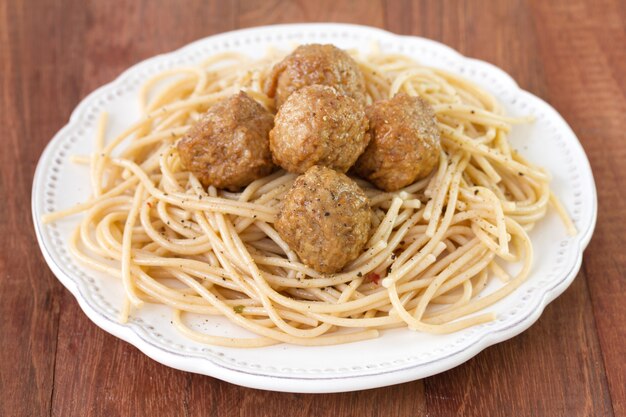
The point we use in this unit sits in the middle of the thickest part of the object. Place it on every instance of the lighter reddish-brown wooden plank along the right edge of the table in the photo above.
(591, 95)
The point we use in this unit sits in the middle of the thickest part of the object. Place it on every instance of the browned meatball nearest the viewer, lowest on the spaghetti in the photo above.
(325, 219)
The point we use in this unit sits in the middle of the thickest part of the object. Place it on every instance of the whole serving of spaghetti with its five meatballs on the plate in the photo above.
(436, 237)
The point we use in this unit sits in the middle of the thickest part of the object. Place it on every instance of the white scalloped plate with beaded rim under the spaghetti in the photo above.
(398, 355)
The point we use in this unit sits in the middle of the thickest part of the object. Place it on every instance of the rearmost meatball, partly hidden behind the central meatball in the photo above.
(316, 64)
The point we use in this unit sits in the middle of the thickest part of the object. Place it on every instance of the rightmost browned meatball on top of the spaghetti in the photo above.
(405, 142)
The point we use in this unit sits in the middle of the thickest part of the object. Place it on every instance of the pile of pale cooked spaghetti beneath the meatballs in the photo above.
(435, 246)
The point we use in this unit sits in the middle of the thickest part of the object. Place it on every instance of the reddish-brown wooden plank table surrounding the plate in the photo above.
(54, 361)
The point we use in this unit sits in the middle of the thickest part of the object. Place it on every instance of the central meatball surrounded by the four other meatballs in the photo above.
(318, 126)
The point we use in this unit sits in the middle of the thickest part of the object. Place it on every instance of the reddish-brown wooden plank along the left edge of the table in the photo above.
(35, 96)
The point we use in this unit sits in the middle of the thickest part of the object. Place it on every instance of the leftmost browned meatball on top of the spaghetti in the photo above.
(229, 147)
